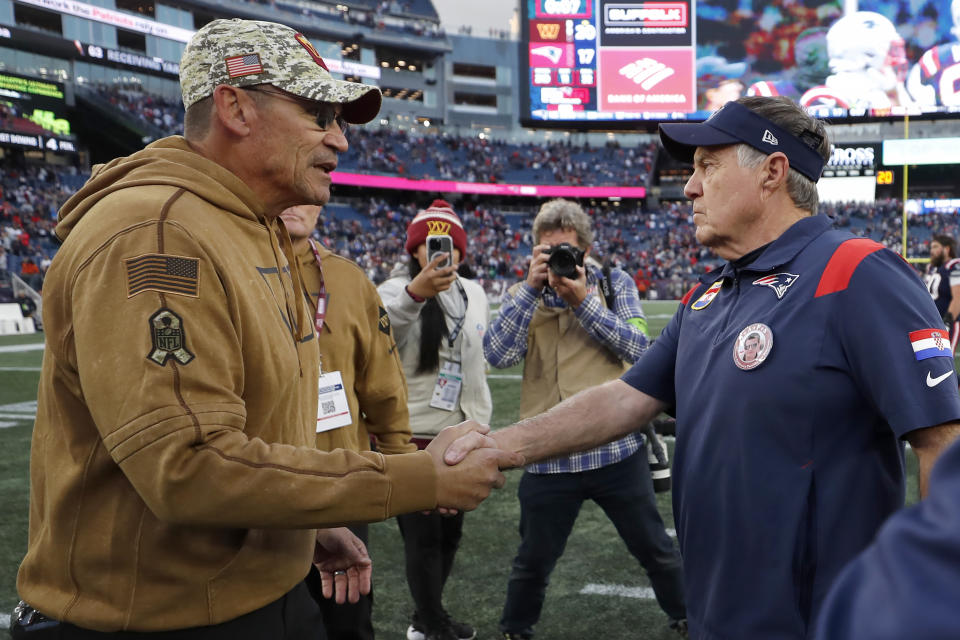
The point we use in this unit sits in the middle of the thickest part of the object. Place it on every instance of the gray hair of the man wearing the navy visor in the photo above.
(785, 113)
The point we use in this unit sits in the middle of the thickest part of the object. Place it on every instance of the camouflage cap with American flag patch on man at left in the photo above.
(242, 53)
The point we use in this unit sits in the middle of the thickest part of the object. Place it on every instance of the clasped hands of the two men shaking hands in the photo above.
(468, 462)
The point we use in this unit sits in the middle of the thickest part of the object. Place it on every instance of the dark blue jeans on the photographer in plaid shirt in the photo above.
(549, 505)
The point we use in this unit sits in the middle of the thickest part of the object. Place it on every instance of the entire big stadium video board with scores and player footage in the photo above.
(599, 62)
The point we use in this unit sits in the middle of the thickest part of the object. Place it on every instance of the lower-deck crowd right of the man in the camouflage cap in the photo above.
(657, 247)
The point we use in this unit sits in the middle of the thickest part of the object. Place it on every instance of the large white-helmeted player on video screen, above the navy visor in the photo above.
(868, 65)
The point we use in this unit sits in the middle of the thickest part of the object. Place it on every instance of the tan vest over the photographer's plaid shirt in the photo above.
(562, 359)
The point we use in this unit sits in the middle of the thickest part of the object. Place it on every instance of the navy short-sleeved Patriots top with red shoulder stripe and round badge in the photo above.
(785, 470)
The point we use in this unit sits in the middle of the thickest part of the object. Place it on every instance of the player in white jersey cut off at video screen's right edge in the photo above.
(935, 79)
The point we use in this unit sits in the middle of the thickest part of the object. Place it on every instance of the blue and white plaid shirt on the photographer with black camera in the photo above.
(621, 329)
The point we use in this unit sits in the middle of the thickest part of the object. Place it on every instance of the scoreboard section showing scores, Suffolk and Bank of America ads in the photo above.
(606, 59)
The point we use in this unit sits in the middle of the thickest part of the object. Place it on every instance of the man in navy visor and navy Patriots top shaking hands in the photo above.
(795, 372)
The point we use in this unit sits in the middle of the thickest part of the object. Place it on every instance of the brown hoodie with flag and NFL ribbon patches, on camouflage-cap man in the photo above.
(174, 482)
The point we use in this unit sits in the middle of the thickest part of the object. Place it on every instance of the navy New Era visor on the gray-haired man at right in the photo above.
(733, 124)
